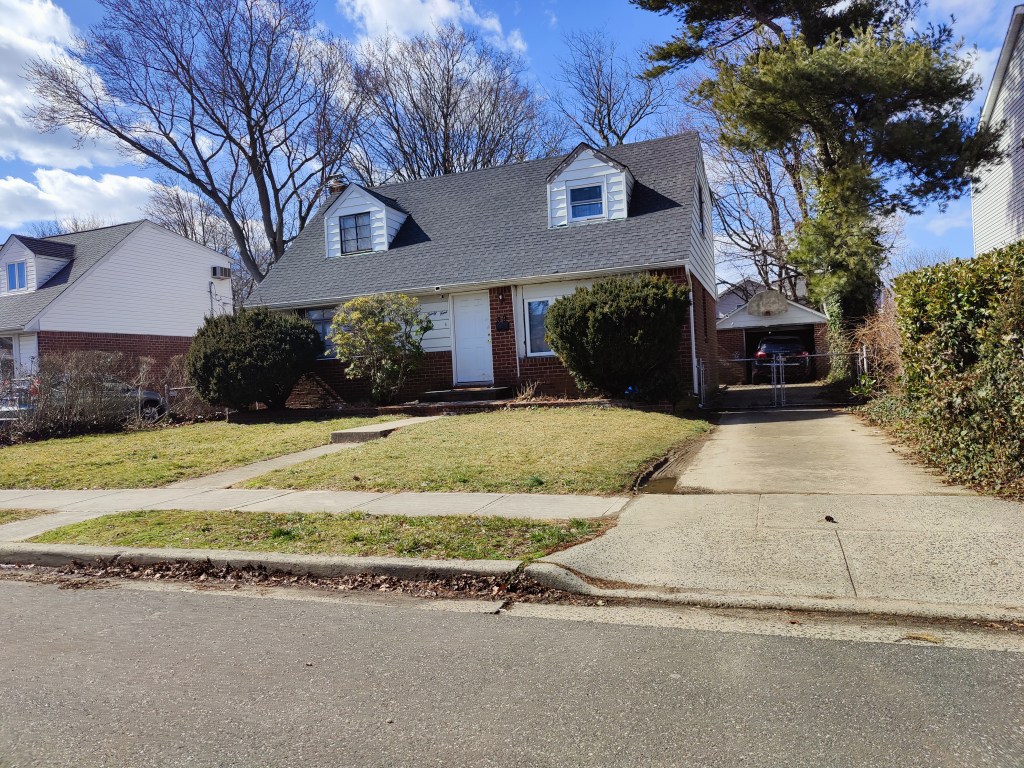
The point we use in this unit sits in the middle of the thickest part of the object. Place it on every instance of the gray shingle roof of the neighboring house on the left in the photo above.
(87, 248)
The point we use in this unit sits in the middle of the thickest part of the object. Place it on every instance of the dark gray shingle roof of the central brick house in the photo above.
(492, 226)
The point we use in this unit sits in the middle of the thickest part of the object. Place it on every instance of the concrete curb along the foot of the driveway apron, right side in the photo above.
(556, 577)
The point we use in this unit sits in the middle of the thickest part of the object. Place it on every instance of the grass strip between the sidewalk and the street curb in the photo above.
(324, 534)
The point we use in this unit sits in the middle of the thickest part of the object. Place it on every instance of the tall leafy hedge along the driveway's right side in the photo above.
(962, 327)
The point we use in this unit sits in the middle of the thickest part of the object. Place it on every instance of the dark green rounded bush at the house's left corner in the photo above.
(257, 356)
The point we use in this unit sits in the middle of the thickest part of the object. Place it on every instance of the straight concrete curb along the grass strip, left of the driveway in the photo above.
(321, 567)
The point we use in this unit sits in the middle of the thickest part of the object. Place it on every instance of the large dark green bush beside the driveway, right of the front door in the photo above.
(621, 337)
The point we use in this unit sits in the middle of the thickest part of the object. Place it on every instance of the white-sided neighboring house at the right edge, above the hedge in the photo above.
(998, 202)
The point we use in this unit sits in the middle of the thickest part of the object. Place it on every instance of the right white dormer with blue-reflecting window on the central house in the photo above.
(588, 186)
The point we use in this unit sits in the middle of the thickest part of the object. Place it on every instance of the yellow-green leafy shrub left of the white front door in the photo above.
(381, 336)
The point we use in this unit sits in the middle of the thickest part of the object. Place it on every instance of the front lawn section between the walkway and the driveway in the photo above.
(549, 451)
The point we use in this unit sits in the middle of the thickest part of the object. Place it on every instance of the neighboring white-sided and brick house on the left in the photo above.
(137, 289)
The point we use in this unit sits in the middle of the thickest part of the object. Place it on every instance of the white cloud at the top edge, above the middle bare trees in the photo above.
(408, 18)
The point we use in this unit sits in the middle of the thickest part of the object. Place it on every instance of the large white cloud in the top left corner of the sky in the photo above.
(31, 29)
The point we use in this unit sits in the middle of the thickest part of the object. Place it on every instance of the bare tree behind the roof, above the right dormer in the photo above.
(603, 96)
